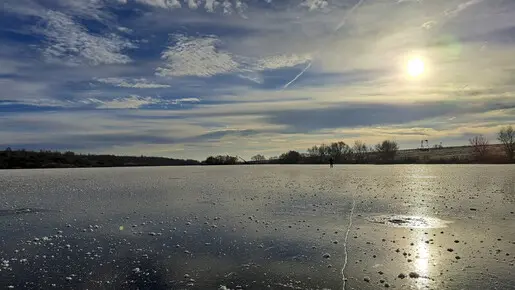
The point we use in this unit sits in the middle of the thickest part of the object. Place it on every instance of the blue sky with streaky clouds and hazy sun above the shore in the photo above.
(193, 78)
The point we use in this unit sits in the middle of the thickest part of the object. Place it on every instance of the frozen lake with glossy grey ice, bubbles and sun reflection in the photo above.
(259, 227)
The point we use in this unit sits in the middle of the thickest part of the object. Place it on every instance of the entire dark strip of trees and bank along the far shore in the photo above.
(386, 152)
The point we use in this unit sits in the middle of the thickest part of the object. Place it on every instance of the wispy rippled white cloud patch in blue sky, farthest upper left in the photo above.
(71, 43)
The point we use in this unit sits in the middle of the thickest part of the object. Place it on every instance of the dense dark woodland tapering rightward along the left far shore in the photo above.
(17, 159)
